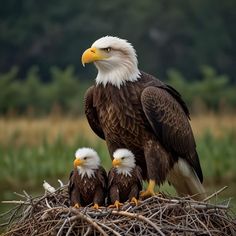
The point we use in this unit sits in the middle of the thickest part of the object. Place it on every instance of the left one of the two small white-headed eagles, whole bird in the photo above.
(88, 180)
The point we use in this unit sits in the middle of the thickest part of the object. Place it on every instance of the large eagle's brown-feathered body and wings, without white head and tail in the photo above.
(147, 117)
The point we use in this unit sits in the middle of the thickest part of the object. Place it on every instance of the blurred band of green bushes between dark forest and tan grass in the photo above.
(63, 93)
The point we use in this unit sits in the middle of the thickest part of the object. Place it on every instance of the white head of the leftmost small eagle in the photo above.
(86, 161)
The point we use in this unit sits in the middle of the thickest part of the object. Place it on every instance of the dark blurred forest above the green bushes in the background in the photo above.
(179, 34)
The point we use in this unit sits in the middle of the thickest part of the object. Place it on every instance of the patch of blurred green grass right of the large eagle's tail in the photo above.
(218, 156)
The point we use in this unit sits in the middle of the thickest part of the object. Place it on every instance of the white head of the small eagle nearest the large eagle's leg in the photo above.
(124, 161)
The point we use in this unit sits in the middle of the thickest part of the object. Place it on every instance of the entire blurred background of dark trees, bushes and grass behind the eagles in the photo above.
(188, 44)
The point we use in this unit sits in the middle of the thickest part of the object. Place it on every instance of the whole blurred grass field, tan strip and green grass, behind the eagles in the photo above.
(33, 150)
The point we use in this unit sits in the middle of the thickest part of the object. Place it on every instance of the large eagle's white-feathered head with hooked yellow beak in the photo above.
(115, 60)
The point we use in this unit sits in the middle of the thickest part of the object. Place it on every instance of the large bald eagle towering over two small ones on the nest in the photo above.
(129, 108)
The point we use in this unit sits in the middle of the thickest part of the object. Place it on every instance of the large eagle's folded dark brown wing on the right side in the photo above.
(169, 120)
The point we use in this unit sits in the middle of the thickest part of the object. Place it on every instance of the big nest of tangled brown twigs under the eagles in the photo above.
(159, 215)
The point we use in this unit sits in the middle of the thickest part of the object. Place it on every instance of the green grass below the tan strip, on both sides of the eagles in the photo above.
(25, 167)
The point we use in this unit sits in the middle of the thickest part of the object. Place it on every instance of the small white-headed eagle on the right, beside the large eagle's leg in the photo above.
(124, 179)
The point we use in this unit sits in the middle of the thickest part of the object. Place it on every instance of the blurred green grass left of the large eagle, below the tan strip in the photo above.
(28, 166)
